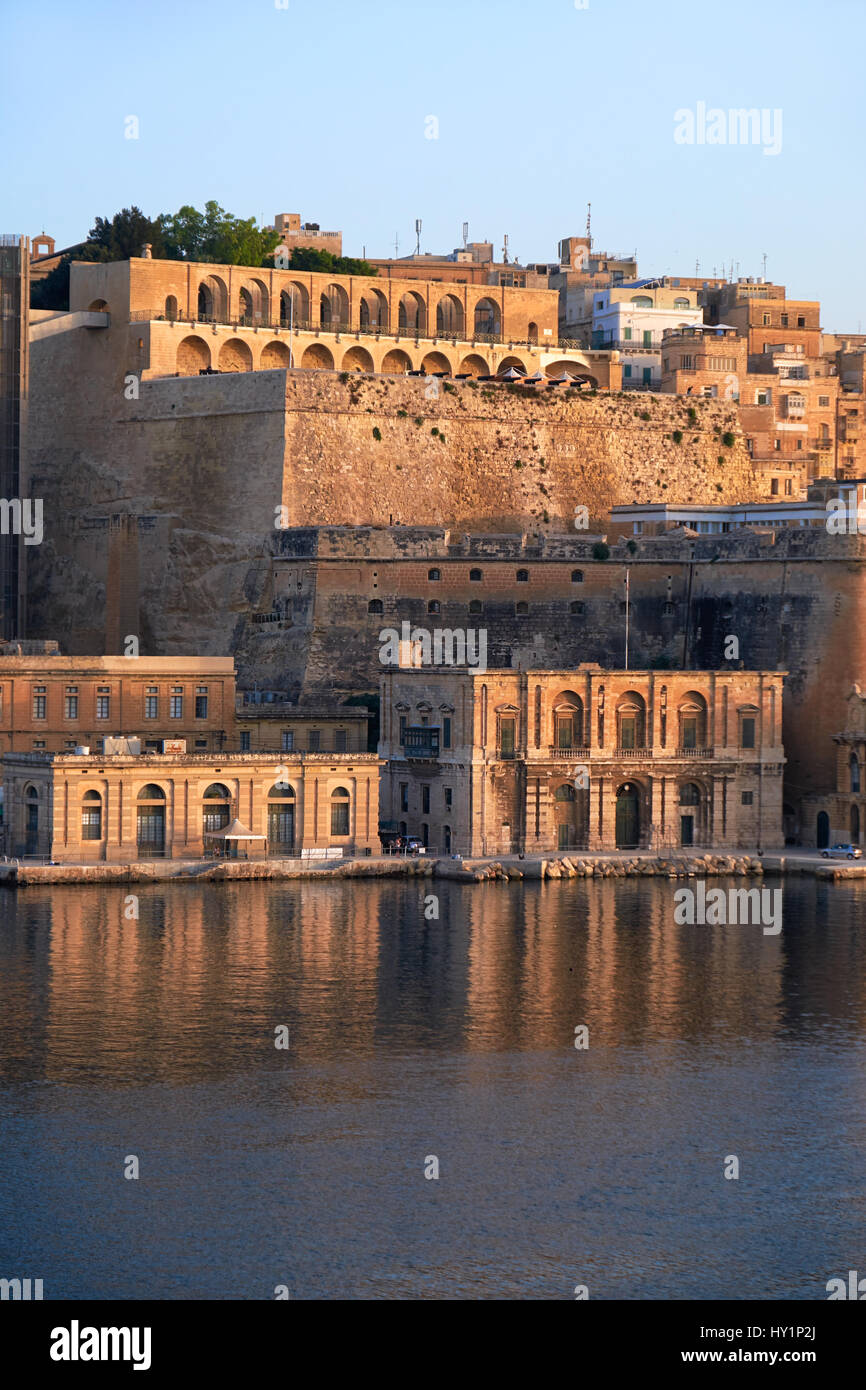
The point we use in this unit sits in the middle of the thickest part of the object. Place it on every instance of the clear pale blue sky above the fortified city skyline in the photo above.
(322, 109)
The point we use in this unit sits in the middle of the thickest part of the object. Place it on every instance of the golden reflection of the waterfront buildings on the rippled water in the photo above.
(197, 985)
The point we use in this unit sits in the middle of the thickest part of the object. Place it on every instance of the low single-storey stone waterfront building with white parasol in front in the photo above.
(126, 808)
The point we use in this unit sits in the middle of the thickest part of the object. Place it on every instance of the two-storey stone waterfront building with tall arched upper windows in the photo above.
(539, 761)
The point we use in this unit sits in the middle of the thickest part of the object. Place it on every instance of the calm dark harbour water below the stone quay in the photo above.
(412, 1039)
